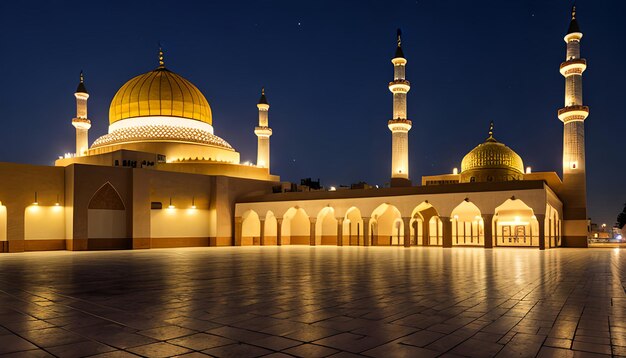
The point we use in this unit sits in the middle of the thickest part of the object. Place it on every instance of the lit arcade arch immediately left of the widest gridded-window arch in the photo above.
(467, 225)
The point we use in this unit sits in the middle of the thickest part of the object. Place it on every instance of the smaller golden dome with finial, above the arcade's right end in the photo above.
(492, 155)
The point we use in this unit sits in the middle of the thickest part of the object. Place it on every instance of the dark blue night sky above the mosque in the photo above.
(325, 66)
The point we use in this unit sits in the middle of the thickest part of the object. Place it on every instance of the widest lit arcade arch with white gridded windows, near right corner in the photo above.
(515, 224)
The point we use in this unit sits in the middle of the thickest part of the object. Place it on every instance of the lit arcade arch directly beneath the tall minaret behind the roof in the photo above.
(388, 228)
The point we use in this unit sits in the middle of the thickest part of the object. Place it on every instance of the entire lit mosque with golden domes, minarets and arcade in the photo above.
(161, 177)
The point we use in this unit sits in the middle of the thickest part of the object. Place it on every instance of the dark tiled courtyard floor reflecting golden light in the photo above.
(314, 302)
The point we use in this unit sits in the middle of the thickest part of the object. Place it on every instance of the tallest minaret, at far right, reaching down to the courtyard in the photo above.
(573, 115)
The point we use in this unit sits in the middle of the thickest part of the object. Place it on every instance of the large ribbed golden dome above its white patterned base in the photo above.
(160, 92)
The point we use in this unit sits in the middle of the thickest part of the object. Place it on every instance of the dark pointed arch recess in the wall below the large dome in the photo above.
(106, 220)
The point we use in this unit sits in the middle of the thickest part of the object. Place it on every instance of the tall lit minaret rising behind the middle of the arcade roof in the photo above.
(399, 125)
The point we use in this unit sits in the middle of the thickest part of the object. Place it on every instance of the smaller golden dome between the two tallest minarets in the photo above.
(491, 161)
